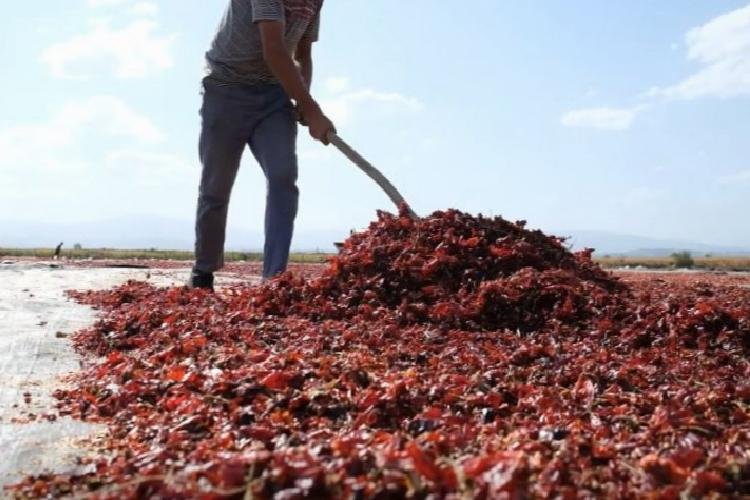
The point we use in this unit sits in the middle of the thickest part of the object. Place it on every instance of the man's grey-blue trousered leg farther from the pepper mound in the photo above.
(221, 144)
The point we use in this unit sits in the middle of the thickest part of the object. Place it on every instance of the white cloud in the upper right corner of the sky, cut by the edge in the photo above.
(722, 47)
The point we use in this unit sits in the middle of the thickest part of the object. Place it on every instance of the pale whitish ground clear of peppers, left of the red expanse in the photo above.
(35, 320)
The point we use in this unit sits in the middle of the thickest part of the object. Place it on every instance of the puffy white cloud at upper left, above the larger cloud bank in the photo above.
(133, 51)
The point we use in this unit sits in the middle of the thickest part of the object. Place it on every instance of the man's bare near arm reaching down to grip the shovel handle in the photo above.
(281, 64)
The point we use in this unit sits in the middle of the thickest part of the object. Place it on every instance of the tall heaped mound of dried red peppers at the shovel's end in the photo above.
(452, 270)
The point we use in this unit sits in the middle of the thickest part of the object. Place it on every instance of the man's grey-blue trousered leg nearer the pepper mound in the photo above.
(274, 144)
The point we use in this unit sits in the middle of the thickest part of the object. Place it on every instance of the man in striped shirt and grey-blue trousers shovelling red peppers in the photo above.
(260, 71)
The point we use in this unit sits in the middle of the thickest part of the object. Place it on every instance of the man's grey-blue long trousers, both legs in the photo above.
(261, 117)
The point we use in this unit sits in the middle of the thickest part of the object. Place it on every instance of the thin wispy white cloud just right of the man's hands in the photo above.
(342, 106)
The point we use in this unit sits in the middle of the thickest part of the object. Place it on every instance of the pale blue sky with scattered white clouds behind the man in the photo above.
(628, 117)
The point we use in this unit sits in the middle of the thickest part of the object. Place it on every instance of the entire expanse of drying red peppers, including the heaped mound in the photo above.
(452, 356)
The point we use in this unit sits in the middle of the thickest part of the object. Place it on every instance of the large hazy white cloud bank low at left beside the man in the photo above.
(94, 152)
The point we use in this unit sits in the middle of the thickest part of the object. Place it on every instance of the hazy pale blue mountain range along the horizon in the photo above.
(174, 234)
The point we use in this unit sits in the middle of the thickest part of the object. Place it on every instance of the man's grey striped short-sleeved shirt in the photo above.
(236, 54)
